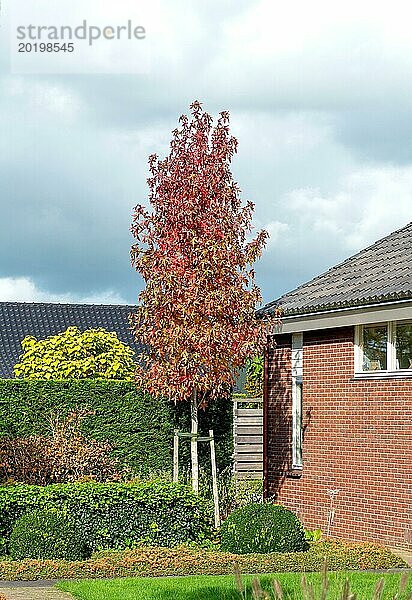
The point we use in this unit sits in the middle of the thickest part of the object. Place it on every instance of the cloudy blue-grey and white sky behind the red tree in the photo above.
(320, 96)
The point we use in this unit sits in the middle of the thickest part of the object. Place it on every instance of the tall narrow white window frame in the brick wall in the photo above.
(297, 400)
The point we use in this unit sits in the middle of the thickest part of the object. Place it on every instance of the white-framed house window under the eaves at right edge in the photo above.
(384, 348)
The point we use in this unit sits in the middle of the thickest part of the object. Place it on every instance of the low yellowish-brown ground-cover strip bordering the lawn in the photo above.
(155, 561)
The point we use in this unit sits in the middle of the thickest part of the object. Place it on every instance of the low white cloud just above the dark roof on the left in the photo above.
(23, 289)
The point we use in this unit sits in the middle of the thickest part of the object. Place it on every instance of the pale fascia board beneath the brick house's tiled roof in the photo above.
(346, 317)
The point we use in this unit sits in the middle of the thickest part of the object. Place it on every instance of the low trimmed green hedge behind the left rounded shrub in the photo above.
(113, 515)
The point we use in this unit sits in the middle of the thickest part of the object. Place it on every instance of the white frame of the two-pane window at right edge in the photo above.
(391, 371)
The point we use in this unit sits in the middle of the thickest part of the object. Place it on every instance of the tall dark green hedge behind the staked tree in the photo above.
(140, 427)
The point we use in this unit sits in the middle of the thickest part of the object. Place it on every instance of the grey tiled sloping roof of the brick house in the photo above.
(380, 273)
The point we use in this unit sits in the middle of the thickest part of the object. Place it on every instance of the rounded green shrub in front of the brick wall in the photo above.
(262, 528)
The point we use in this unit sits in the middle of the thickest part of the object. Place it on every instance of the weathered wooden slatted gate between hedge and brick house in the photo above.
(248, 438)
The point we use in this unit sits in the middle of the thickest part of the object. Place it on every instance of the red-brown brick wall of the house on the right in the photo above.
(357, 438)
